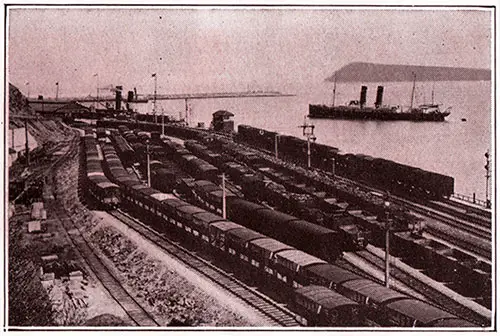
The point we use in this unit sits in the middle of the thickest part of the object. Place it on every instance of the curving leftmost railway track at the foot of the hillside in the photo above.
(133, 309)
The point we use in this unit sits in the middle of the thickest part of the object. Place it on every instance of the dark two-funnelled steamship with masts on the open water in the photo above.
(357, 110)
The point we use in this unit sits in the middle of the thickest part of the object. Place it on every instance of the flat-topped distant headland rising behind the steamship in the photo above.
(372, 72)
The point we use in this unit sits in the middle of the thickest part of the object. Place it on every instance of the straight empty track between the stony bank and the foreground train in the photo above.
(272, 311)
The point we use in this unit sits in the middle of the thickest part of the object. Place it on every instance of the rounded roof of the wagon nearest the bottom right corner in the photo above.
(419, 310)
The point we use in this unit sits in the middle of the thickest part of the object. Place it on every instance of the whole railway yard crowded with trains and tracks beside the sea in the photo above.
(230, 234)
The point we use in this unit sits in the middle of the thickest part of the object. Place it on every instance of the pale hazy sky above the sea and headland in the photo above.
(209, 49)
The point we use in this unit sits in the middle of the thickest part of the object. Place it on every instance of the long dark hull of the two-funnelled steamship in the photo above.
(322, 112)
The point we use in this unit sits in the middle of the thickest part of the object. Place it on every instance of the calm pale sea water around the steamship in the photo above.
(454, 147)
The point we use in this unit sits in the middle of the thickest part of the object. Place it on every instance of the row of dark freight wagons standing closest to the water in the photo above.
(385, 174)
